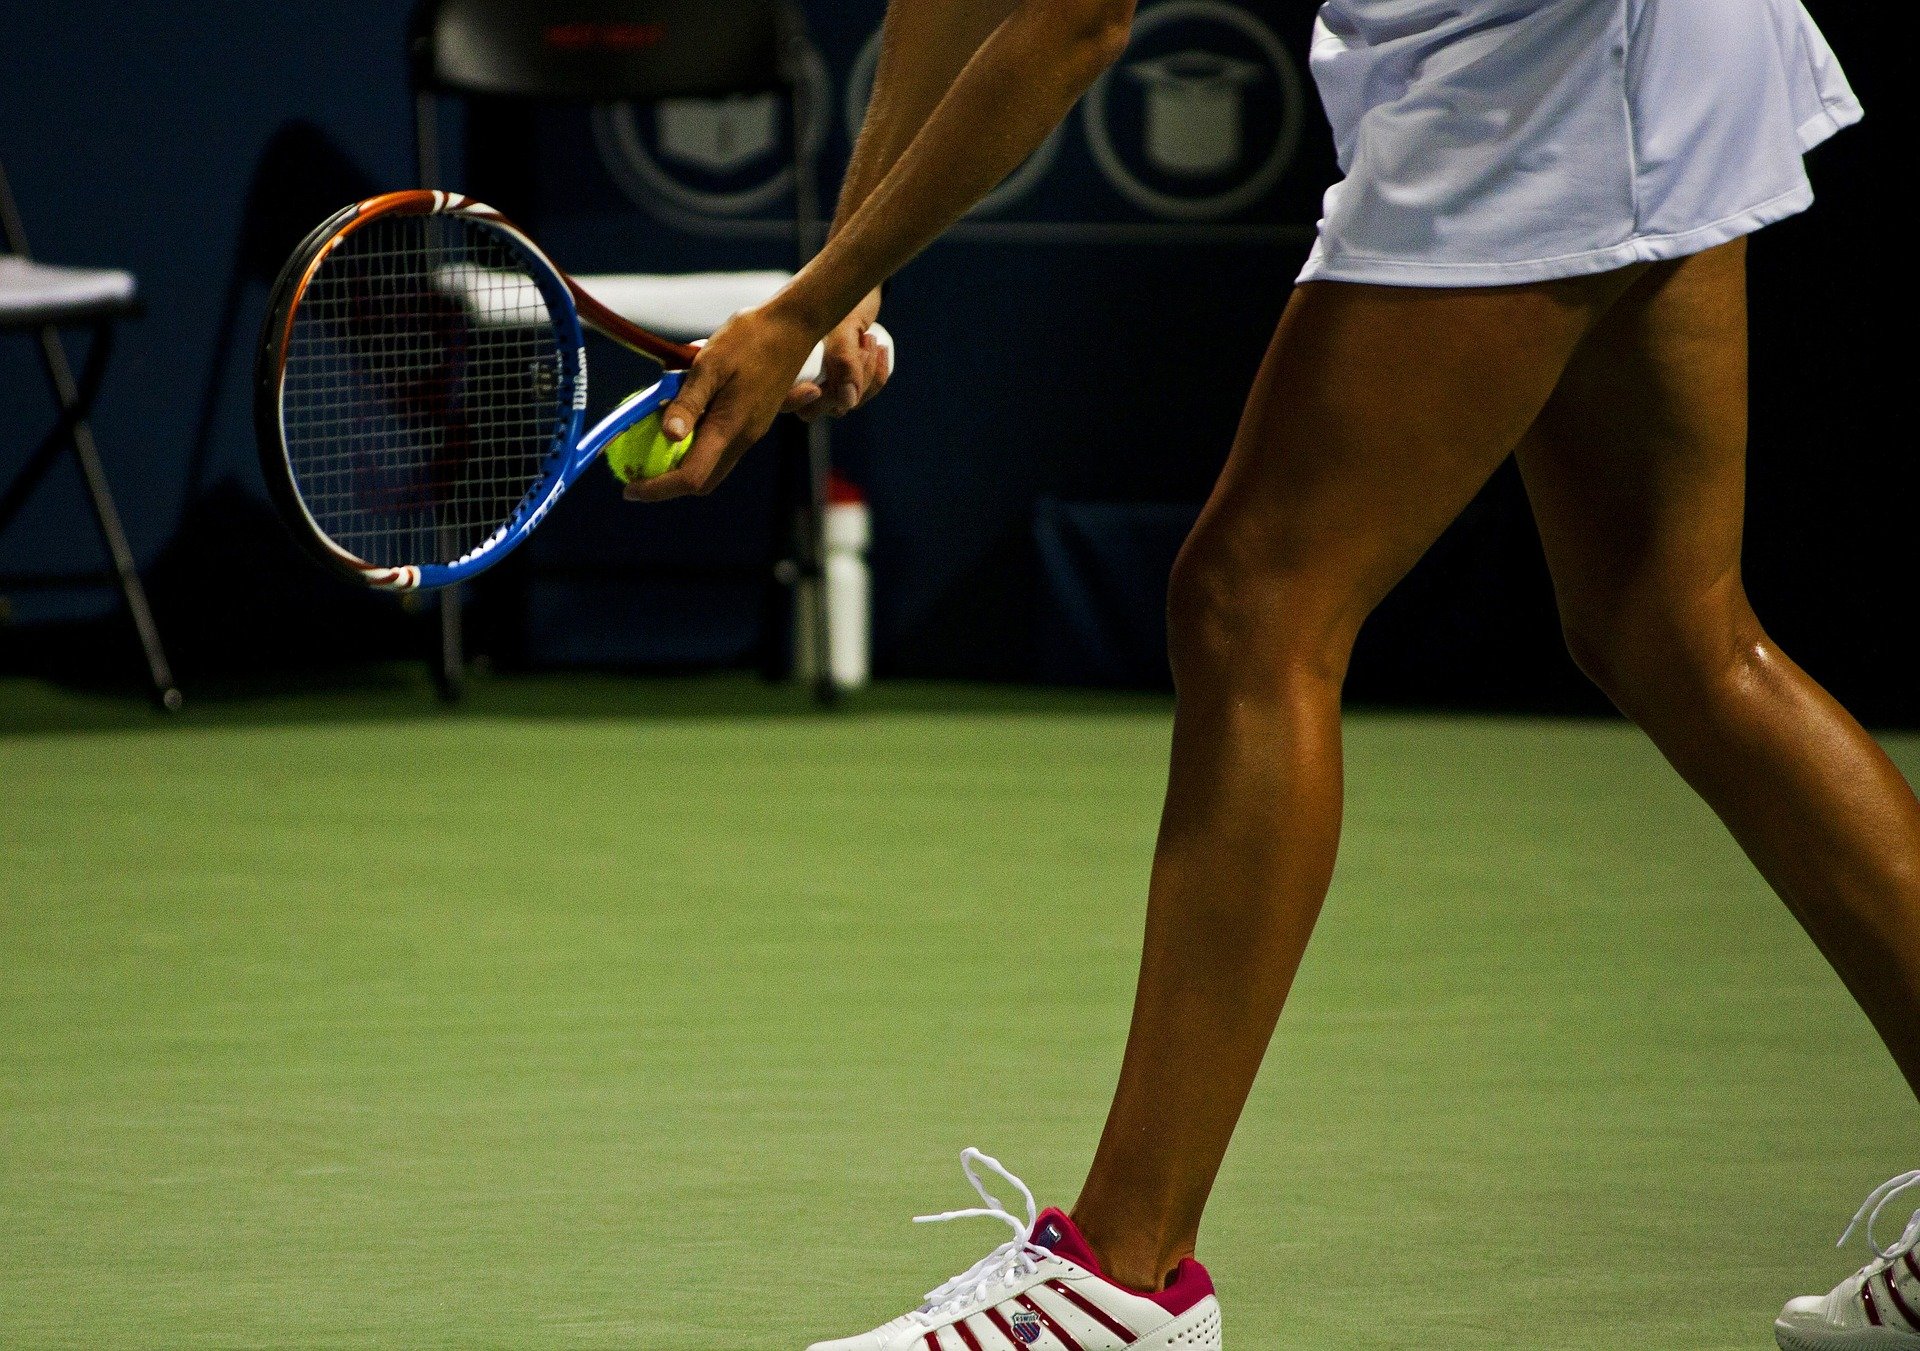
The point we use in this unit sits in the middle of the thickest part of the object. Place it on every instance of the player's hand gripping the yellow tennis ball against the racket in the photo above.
(734, 389)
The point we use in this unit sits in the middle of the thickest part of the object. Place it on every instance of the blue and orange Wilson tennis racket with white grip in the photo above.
(423, 385)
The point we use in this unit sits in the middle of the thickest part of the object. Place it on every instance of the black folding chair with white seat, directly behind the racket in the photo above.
(640, 53)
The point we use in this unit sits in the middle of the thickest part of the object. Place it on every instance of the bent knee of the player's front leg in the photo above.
(1237, 615)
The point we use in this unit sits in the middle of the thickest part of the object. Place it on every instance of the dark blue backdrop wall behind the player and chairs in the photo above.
(1044, 346)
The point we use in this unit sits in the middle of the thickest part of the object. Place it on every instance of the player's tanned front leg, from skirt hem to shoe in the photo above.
(1376, 417)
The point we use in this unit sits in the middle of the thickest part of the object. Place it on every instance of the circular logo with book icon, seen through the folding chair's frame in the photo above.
(713, 156)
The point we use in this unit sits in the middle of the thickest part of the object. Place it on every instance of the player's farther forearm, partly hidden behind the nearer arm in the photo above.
(924, 45)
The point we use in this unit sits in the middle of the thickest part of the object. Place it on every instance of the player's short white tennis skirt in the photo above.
(1514, 141)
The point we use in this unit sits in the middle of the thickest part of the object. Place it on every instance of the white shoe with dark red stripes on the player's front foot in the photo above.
(1045, 1291)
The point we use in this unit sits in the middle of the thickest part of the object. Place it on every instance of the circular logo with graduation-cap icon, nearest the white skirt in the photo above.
(1203, 114)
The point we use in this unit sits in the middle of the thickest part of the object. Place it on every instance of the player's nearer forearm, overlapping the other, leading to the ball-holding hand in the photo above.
(1009, 97)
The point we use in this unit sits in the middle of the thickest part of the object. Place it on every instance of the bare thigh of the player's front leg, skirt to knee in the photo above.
(1376, 417)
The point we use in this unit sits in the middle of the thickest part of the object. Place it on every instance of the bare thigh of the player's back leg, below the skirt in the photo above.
(1637, 465)
